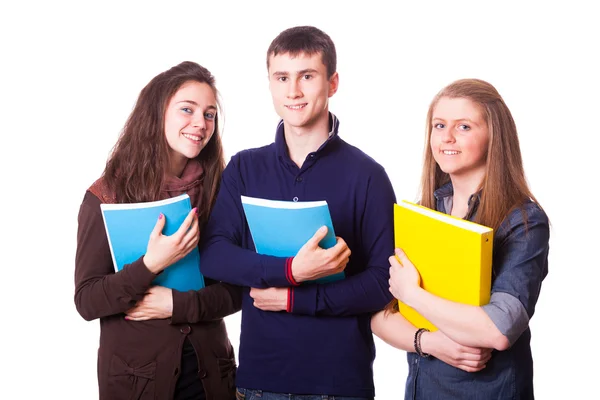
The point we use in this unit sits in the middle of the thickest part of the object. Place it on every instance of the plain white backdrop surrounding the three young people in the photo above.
(70, 74)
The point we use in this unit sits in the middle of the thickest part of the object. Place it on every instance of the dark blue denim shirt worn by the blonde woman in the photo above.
(520, 263)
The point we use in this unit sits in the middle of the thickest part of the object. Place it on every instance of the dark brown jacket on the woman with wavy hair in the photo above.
(141, 360)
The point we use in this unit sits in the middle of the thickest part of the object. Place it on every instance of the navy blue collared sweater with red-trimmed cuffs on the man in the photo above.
(324, 345)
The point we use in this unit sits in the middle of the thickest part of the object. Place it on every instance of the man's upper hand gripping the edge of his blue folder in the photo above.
(313, 262)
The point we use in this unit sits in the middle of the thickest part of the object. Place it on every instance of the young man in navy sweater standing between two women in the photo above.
(309, 339)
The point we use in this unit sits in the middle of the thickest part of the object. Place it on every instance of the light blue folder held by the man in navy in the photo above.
(281, 228)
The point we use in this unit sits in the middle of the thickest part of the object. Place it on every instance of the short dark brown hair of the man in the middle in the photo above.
(308, 40)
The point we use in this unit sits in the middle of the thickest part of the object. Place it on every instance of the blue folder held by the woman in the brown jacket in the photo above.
(128, 227)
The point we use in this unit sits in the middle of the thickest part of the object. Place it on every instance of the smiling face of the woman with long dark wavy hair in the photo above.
(189, 122)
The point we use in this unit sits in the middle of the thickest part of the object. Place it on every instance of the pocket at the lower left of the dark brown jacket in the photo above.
(131, 382)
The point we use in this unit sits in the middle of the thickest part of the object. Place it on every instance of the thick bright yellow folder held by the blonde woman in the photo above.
(452, 255)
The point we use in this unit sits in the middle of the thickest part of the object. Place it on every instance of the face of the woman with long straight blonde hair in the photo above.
(459, 139)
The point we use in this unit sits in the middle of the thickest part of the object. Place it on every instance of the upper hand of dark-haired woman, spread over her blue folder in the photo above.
(164, 250)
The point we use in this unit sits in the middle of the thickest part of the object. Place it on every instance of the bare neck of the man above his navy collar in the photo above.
(301, 141)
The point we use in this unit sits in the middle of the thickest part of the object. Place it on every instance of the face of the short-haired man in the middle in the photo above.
(300, 90)
